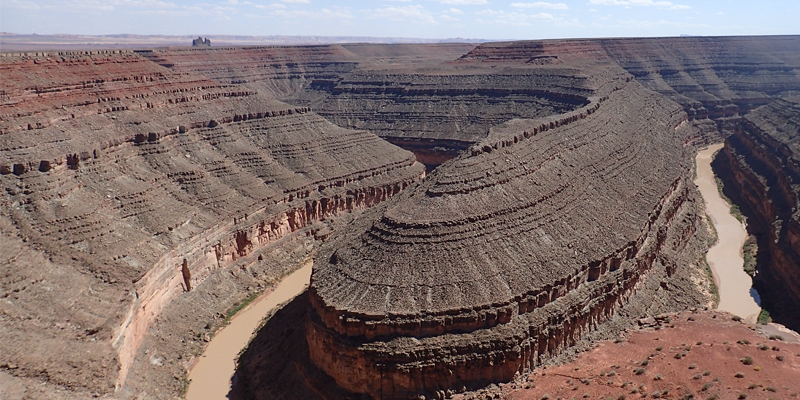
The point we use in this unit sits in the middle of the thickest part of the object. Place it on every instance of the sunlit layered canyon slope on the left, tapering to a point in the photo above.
(126, 184)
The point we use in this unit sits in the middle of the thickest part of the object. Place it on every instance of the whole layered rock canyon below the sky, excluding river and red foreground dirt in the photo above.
(474, 211)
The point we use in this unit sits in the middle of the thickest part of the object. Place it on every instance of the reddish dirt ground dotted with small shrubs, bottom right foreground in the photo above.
(692, 355)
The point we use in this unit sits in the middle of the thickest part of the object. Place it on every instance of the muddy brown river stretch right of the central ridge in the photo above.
(725, 257)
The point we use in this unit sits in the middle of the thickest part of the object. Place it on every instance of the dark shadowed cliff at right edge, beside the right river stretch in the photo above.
(760, 168)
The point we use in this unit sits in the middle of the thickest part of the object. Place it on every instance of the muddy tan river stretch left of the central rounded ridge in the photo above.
(210, 378)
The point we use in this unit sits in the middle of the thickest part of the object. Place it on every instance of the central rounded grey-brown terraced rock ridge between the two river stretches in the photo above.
(510, 253)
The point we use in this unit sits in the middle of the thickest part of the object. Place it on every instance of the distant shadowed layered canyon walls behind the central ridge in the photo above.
(442, 109)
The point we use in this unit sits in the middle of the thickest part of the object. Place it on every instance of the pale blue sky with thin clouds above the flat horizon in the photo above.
(435, 19)
